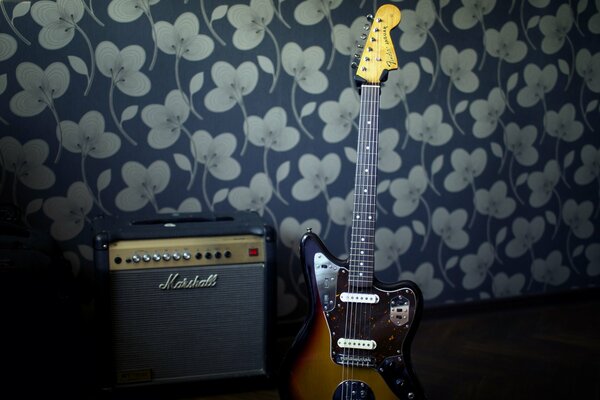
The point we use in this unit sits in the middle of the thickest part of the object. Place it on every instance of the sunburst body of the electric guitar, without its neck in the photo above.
(318, 368)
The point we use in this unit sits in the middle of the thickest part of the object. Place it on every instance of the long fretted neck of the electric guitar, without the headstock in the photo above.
(362, 246)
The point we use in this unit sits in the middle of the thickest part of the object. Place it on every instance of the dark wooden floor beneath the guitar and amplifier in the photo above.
(542, 348)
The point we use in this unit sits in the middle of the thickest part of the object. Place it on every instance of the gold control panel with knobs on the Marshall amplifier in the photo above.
(182, 252)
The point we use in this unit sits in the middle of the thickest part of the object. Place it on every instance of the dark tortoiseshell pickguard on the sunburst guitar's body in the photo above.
(382, 328)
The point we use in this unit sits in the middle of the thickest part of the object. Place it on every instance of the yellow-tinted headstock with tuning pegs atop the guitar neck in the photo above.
(378, 56)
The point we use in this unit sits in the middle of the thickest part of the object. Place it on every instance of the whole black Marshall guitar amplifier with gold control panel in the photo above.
(184, 298)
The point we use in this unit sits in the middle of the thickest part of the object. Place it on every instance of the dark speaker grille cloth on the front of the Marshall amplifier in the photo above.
(185, 334)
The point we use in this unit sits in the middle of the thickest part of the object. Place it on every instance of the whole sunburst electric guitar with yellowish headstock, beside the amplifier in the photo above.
(355, 342)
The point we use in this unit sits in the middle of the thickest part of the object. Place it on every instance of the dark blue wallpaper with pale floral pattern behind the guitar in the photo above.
(489, 163)
